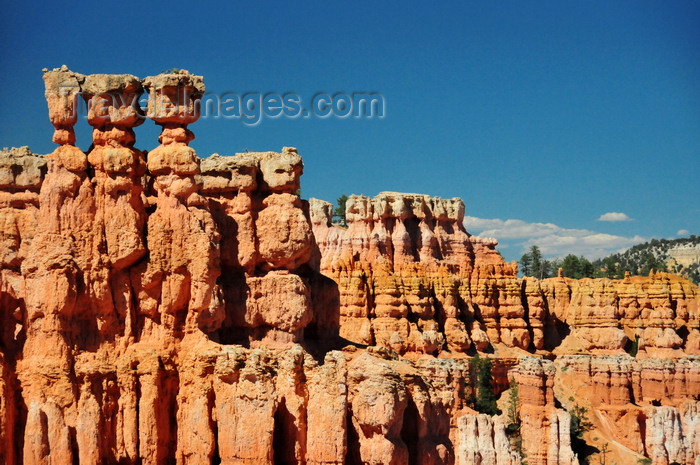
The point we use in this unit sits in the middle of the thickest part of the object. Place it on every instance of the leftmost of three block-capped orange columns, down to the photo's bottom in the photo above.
(52, 273)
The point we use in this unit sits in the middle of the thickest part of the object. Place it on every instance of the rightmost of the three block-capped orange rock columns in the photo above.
(179, 284)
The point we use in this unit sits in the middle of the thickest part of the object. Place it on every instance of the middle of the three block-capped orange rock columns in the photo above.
(113, 111)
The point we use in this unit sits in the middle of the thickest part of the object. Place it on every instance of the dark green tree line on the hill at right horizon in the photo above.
(637, 260)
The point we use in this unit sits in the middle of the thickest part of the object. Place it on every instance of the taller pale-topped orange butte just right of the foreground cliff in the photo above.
(405, 269)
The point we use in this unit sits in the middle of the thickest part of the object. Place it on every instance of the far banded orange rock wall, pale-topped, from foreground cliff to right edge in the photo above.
(411, 278)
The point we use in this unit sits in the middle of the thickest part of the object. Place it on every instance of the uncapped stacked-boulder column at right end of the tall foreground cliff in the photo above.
(278, 304)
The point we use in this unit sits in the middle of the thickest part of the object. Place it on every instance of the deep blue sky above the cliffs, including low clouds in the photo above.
(543, 116)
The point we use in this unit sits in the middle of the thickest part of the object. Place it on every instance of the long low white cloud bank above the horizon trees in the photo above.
(552, 240)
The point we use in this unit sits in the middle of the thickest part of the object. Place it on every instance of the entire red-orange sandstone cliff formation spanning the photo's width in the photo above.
(161, 308)
